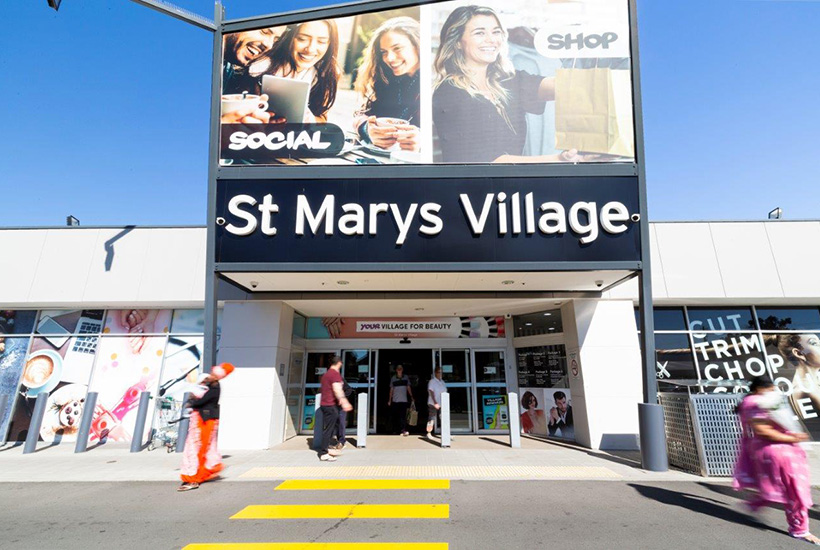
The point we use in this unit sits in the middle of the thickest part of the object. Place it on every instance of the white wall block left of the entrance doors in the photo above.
(256, 339)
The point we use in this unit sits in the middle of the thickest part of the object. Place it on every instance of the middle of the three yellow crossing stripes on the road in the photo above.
(339, 511)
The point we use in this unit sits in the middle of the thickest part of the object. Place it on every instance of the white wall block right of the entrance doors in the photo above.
(606, 393)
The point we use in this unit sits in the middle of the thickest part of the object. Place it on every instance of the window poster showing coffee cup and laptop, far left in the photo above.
(59, 363)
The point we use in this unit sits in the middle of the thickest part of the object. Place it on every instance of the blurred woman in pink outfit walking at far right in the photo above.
(771, 462)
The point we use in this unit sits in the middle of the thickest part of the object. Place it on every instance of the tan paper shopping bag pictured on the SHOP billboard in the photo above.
(593, 111)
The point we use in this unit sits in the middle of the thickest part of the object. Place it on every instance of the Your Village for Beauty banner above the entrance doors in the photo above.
(401, 327)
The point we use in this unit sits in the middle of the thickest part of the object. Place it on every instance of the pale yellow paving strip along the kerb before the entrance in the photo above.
(430, 472)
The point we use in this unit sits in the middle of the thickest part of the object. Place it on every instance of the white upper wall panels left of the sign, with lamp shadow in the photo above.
(105, 267)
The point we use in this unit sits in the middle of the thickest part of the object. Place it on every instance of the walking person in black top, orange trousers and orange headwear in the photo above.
(201, 460)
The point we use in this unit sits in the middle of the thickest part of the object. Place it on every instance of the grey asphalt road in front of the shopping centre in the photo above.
(491, 515)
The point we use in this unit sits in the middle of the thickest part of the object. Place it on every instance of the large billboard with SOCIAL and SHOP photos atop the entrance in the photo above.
(550, 82)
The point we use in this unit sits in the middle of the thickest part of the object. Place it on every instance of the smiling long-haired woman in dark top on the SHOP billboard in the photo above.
(480, 100)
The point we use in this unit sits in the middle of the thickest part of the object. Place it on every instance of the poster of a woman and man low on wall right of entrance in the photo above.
(547, 412)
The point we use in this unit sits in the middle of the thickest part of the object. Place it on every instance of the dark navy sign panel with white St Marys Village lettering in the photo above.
(442, 220)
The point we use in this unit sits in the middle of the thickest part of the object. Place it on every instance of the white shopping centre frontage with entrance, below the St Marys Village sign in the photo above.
(120, 310)
